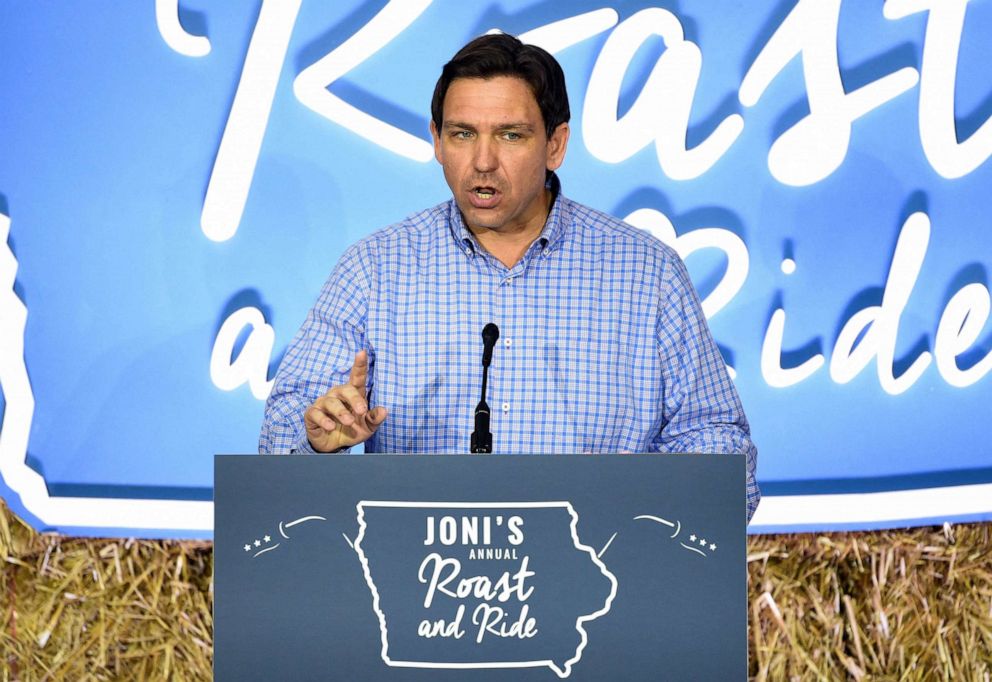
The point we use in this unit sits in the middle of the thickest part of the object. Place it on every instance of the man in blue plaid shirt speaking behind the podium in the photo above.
(603, 346)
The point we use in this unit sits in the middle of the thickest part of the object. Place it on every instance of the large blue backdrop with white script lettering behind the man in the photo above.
(178, 178)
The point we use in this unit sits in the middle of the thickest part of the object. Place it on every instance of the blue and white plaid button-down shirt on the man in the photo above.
(603, 346)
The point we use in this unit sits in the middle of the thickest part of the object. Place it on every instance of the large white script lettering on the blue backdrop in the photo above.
(806, 153)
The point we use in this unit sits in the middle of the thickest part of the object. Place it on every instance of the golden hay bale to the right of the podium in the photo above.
(911, 604)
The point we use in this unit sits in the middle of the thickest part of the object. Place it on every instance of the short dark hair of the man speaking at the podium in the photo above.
(500, 54)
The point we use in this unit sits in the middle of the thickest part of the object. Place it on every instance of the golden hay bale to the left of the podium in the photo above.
(78, 609)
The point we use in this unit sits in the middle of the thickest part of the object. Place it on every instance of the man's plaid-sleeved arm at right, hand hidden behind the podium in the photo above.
(702, 412)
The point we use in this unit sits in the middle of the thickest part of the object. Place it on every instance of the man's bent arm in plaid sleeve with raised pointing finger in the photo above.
(320, 365)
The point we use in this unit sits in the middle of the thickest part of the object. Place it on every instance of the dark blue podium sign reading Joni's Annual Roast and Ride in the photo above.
(492, 567)
